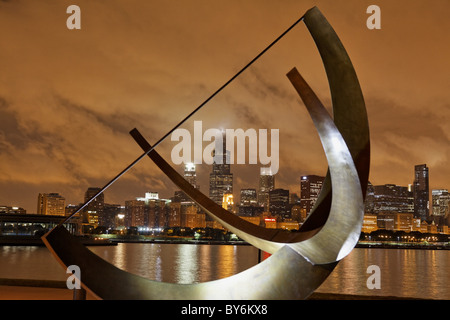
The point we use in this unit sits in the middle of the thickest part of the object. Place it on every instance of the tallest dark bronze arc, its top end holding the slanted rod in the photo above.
(349, 111)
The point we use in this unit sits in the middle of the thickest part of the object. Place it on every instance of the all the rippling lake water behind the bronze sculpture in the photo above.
(403, 272)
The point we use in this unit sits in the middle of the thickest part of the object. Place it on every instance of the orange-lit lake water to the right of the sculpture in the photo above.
(406, 273)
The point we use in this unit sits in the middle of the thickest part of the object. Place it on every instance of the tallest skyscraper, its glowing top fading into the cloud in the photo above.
(220, 179)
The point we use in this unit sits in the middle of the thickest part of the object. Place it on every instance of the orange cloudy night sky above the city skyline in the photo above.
(68, 98)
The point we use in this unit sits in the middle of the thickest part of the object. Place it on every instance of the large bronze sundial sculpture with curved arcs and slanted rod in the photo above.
(300, 261)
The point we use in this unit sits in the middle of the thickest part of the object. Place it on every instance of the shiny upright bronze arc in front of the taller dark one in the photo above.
(341, 231)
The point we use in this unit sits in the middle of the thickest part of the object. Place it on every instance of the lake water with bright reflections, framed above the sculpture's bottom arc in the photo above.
(180, 263)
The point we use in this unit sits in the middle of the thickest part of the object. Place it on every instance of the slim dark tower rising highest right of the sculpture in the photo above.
(421, 192)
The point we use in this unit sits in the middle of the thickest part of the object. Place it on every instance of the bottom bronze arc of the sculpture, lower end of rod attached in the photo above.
(284, 275)
